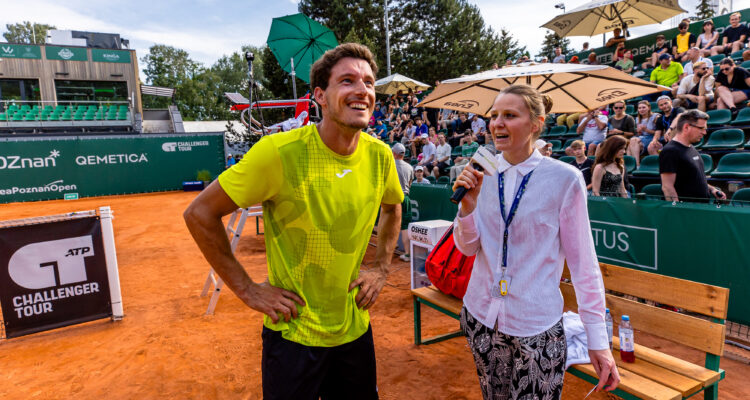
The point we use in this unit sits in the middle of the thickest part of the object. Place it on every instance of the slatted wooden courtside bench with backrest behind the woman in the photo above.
(654, 375)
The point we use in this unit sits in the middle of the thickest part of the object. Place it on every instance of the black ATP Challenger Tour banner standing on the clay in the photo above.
(52, 275)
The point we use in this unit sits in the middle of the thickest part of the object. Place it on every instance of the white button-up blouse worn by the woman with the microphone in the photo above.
(551, 225)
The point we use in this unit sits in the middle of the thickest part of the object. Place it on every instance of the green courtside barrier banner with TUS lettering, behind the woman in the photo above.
(697, 242)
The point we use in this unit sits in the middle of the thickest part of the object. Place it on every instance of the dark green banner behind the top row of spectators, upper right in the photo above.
(643, 46)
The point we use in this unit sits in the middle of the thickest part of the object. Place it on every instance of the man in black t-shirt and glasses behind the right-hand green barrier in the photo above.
(680, 164)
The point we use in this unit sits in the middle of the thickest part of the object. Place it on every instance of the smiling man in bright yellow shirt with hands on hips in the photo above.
(320, 187)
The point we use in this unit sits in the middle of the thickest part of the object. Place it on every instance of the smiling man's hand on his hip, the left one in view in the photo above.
(273, 301)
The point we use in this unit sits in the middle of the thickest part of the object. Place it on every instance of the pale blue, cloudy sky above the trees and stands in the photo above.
(209, 29)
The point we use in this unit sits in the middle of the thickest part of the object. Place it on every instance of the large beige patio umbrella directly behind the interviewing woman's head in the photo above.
(572, 87)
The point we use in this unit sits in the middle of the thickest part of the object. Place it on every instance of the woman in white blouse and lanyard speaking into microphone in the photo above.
(522, 223)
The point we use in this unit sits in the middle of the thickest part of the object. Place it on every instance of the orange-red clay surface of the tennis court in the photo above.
(166, 347)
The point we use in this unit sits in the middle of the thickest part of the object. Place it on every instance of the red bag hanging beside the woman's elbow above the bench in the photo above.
(449, 269)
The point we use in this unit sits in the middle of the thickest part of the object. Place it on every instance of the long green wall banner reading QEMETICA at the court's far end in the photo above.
(51, 168)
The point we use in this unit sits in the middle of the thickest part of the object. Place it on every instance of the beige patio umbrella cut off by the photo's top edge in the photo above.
(603, 16)
